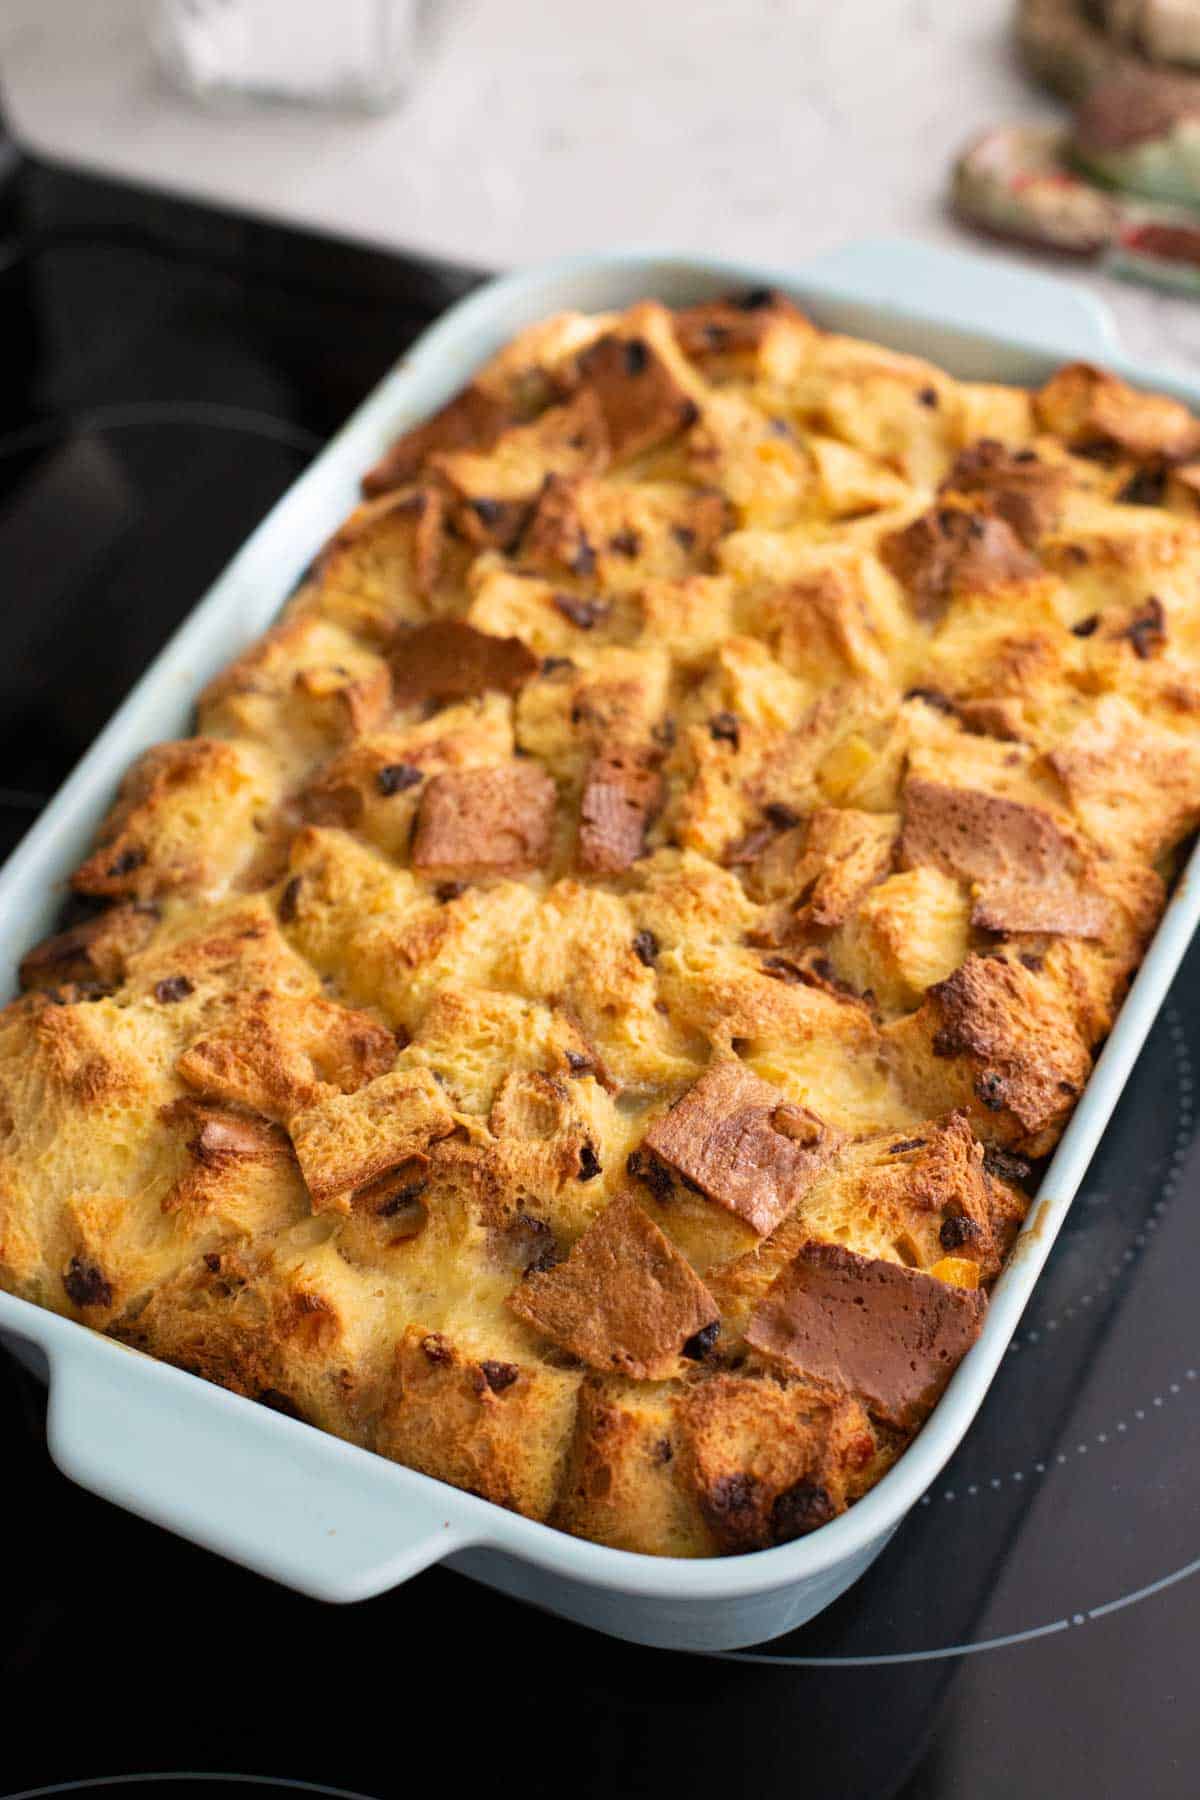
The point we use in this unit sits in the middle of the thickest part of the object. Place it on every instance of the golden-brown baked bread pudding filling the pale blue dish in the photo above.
(580, 1012)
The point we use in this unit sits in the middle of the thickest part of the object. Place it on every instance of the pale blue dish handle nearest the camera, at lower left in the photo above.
(238, 1479)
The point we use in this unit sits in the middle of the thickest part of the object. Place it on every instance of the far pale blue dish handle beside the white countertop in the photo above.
(976, 294)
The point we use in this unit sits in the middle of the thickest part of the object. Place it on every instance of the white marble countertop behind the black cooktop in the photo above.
(766, 129)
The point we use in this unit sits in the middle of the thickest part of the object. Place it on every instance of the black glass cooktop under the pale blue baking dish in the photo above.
(1034, 1630)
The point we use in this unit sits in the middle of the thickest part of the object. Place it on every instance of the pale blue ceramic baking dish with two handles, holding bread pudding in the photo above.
(327, 1516)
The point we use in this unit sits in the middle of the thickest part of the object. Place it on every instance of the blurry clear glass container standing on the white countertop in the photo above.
(336, 53)
